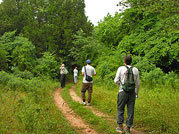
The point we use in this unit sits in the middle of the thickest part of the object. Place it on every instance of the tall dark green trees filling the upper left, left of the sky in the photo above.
(48, 24)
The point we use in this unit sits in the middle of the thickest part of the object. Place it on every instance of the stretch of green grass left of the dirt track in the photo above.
(32, 112)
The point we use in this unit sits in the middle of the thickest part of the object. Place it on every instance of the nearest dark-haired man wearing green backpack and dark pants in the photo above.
(126, 96)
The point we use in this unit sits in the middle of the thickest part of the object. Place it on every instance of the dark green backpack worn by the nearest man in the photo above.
(129, 84)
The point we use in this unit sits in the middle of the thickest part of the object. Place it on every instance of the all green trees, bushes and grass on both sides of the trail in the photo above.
(37, 36)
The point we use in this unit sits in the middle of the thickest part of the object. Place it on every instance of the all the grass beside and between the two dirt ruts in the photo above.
(23, 112)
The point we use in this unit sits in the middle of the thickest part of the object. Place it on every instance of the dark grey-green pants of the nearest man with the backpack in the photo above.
(123, 99)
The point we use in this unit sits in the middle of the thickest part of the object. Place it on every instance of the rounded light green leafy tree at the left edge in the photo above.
(17, 51)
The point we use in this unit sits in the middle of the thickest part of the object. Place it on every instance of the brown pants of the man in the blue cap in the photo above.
(89, 87)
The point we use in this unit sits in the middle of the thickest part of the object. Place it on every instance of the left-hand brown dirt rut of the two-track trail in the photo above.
(69, 114)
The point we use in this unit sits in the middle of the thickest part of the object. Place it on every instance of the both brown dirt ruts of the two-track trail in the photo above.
(79, 125)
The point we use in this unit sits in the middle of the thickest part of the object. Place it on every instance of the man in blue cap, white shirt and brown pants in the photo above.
(87, 72)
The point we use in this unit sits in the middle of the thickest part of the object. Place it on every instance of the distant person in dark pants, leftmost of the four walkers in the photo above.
(63, 72)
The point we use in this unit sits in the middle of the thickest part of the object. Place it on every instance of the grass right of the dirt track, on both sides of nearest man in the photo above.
(156, 110)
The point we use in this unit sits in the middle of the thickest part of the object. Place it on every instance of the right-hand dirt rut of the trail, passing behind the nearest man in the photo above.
(76, 98)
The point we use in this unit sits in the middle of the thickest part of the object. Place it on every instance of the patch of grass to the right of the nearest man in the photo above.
(158, 110)
